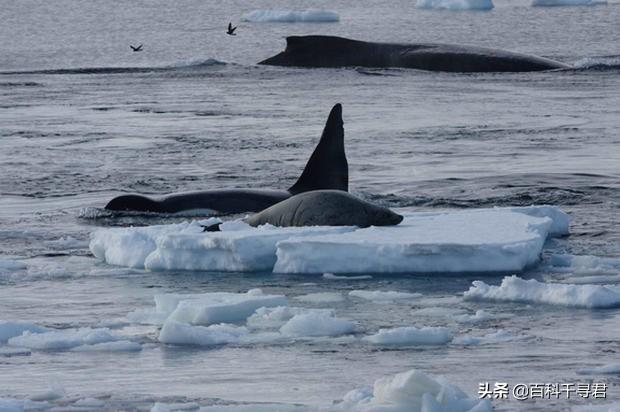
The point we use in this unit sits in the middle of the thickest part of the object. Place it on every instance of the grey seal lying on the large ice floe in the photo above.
(325, 208)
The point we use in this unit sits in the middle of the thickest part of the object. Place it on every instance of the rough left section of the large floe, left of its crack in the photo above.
(184, 246)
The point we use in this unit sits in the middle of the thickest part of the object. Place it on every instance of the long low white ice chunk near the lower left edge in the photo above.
(64, 339)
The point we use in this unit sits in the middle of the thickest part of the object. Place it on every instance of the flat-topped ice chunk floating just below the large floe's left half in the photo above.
(218, 307)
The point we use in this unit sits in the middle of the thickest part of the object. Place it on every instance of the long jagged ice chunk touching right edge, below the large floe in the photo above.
(516, 289)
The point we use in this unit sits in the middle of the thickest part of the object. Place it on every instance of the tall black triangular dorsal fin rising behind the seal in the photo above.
(327, 167)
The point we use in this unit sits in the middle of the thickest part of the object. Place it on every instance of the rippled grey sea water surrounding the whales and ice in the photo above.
(82, 119)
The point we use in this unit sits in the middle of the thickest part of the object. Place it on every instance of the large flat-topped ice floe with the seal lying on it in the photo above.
(482, 240)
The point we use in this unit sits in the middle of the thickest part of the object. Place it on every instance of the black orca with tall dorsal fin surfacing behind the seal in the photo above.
(327, 168)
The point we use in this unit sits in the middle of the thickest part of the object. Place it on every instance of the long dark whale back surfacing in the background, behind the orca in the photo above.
(331, 51)
